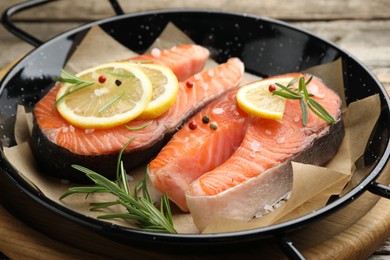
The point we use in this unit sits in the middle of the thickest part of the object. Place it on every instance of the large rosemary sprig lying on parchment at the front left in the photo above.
(140, 209)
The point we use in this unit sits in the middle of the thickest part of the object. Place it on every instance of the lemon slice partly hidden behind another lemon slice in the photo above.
(165, 89)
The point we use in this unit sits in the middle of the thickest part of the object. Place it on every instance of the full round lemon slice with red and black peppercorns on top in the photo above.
(112, 94)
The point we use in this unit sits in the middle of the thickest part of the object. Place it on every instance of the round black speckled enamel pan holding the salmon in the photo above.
(267, 47)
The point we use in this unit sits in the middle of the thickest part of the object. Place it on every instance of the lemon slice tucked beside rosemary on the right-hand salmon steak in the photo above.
(257, 99)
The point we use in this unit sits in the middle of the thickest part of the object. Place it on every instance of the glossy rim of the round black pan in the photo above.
(158, 237)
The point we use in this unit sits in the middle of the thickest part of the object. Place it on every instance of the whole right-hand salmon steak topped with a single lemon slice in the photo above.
(241, 178)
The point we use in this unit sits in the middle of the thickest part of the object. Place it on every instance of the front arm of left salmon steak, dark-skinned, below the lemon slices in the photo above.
(57, 145)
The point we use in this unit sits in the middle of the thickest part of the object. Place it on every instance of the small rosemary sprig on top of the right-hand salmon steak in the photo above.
(305, 99)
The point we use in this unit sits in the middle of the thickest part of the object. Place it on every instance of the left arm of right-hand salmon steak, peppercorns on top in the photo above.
(191, 152)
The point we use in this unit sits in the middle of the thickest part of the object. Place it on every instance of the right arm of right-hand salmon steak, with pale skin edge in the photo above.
(259, 172)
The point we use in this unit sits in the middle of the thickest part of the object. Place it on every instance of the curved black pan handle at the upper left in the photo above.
(12, 28)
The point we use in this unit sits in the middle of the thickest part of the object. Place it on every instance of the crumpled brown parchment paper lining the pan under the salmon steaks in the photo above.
(312, 185)
